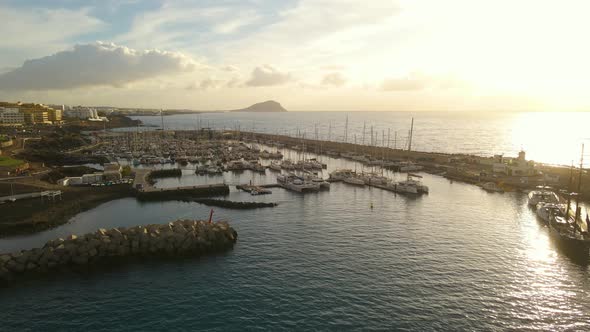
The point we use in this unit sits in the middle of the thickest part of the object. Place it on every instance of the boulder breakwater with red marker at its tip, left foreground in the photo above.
(178, 238)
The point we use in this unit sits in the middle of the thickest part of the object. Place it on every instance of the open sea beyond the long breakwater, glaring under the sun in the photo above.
(550, 137)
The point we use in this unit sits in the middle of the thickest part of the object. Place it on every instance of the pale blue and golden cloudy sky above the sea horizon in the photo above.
(392, 55)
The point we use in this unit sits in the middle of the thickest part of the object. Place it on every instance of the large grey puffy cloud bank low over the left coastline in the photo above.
(93, 65)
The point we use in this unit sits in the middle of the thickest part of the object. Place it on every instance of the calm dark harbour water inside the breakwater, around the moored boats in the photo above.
(457, 259)
